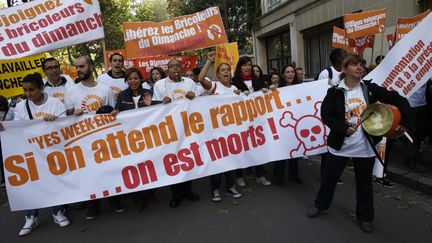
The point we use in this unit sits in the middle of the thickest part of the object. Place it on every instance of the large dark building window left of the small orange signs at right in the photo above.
(318, 45)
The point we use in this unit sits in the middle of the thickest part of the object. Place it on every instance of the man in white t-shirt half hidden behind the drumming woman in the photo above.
(332, 73)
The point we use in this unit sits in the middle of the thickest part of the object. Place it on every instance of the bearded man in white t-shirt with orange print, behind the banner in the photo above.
(88, 95)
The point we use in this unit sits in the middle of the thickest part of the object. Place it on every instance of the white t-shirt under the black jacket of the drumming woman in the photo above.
(355, 145)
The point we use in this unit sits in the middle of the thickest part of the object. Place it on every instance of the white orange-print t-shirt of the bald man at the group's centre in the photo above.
(175, 90)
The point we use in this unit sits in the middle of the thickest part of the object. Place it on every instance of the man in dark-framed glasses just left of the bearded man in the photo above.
(55, 83)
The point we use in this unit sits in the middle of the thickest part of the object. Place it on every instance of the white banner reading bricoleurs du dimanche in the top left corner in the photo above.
(41, 26)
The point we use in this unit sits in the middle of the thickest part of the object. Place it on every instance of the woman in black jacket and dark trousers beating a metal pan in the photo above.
(340, 111)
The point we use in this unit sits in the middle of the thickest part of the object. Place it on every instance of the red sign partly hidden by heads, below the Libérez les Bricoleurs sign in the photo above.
(146, 64)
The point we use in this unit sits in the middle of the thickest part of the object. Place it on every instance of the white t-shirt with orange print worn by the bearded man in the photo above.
(89, 99)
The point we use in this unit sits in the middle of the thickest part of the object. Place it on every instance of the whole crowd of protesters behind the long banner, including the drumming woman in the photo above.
(123, 89)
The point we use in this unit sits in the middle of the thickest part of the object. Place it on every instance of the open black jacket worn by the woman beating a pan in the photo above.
(333, 110)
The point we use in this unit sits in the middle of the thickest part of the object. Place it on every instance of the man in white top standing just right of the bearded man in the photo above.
(114, 78)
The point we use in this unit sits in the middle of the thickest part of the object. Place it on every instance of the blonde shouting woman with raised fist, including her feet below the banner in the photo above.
(223, 73)
